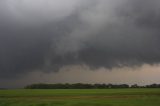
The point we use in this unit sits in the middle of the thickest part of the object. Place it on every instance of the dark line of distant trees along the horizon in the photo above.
(87, 86)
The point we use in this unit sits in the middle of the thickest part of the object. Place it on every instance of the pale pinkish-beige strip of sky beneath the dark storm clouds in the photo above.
(146, 74)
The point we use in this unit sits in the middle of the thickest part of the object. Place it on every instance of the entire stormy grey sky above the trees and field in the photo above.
(72, 41)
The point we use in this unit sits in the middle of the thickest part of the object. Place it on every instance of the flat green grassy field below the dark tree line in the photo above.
(83, 97)
